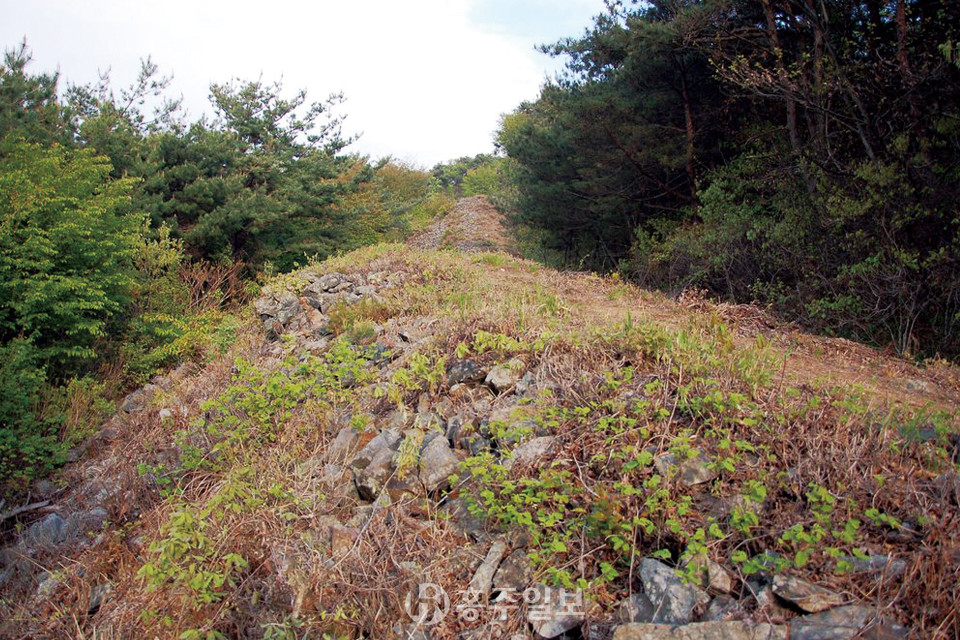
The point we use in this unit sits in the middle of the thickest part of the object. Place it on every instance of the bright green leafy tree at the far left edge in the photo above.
(65, 250)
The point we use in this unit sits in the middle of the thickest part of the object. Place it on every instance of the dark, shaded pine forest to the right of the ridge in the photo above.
(799, 154)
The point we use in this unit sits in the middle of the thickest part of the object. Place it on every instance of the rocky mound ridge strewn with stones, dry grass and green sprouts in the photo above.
(444, 413)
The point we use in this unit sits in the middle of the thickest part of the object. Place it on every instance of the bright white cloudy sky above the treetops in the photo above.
(425, 80)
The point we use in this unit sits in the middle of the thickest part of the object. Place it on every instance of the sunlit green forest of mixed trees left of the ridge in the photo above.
(128, 235)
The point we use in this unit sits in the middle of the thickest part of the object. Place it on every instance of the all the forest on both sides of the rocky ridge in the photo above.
(801, 155)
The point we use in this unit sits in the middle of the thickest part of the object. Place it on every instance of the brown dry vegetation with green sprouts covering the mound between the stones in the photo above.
(616, 371)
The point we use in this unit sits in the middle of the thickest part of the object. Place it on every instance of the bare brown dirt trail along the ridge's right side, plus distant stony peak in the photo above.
(474, 225)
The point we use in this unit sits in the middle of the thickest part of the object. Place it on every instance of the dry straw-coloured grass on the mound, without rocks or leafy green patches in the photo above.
(576, 331)
